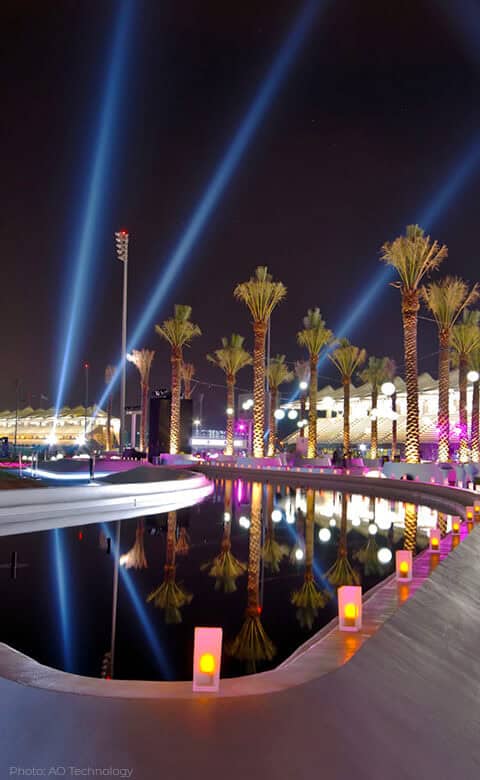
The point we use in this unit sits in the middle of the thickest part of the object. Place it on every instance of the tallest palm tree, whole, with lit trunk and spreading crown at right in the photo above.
(413, 256)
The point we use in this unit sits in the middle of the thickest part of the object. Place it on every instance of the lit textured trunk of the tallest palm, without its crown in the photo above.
(410, 307)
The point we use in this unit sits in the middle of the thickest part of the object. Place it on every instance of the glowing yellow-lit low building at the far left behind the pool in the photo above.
(35, 427)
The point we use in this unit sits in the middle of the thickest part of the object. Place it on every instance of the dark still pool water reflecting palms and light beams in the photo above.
(58, 609)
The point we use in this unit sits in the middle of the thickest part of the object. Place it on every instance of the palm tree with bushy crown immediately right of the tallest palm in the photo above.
(446, 300)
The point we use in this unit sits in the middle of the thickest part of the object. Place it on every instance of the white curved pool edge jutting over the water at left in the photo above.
(34, 509)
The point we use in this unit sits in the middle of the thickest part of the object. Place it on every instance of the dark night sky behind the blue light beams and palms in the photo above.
(378, 109)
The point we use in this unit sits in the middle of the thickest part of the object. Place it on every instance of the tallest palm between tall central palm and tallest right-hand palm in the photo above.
(314, 336)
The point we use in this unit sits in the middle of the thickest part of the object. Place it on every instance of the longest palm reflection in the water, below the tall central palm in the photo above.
(252, 643)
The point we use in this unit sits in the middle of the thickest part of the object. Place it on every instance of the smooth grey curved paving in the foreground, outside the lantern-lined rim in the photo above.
(405, 706)
